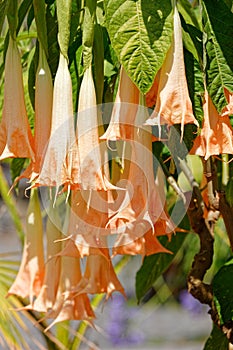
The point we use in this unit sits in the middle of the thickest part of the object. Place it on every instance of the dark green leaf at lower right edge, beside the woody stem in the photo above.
(223, 292)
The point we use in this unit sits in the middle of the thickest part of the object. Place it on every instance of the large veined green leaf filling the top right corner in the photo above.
(218, 26)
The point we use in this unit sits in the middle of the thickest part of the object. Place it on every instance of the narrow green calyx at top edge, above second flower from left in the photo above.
(40, 18)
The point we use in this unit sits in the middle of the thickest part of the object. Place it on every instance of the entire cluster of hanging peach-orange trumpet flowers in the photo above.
(74, 160)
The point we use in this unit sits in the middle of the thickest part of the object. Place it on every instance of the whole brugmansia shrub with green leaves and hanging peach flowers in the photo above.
(119, 95)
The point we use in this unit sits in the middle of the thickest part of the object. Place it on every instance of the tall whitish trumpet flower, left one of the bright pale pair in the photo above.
(61, 165)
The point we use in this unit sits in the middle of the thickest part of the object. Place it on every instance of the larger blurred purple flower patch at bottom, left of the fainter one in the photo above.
(119, 324)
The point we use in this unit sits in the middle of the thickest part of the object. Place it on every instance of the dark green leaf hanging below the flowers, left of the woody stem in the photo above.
(154, 265)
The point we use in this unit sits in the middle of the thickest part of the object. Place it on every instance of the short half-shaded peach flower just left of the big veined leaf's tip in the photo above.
(124, 110)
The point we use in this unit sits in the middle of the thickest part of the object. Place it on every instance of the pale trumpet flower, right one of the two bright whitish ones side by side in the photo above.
(91, 167)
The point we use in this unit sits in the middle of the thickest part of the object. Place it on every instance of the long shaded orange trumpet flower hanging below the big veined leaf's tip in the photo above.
(142, 205)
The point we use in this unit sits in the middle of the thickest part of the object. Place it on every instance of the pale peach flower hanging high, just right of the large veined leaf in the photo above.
(173, 104)
